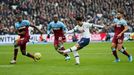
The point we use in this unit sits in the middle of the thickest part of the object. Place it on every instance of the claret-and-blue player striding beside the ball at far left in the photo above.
(23, 32)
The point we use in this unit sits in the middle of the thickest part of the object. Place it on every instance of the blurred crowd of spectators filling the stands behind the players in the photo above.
(40, 12)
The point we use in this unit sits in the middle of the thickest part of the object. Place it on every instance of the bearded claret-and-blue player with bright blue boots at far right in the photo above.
(120, 27)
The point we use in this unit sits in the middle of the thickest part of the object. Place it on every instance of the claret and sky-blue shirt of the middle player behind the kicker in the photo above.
(58, 28)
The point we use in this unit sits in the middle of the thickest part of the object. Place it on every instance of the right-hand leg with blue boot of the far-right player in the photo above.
(123, 50)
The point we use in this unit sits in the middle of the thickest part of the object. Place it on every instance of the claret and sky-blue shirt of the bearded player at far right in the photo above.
(119, 27)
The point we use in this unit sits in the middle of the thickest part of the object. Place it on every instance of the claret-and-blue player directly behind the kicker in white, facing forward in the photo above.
(58, 29)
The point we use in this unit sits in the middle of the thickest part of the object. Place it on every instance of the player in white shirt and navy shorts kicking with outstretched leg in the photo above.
(83, 29)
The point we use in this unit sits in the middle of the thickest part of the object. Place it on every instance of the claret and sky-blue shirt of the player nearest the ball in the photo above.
(23, 26)
